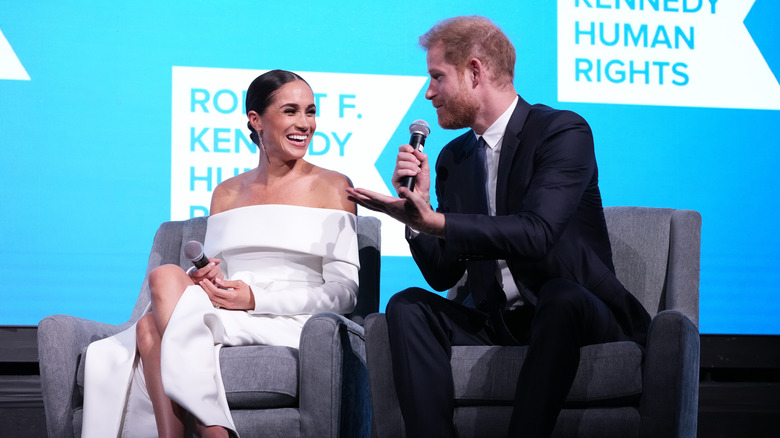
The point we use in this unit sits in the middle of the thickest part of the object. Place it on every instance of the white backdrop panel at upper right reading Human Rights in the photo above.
(692, 53)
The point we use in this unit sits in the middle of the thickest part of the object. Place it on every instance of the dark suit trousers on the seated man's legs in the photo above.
(423, 326)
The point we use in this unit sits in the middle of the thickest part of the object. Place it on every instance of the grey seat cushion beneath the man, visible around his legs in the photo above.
(608, 374)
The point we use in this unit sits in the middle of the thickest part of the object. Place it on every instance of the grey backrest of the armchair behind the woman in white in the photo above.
(172, 235)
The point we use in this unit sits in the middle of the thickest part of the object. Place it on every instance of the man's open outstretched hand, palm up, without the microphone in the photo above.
(410, 209)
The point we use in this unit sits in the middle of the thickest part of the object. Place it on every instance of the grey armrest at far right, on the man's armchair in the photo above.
(670, 377)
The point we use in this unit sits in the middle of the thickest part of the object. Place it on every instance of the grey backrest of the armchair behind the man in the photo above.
(656, 252)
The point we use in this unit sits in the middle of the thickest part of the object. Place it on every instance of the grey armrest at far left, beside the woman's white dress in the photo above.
(62, 340)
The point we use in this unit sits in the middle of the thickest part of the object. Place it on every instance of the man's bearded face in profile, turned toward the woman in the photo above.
(456, 106)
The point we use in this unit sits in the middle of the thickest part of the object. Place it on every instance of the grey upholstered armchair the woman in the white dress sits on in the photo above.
(319, 390)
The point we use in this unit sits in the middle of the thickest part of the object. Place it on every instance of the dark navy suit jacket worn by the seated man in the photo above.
(549, 219)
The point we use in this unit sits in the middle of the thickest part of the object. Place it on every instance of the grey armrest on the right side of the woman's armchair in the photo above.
(333, 373)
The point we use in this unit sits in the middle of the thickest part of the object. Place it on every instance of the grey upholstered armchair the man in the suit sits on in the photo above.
(621, 389)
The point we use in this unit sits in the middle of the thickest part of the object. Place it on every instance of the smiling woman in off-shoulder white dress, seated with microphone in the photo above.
(283, 237)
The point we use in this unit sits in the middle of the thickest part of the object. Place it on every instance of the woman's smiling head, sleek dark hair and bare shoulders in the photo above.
(282, 112)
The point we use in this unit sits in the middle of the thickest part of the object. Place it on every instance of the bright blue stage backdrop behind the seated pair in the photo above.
(86, 126)
